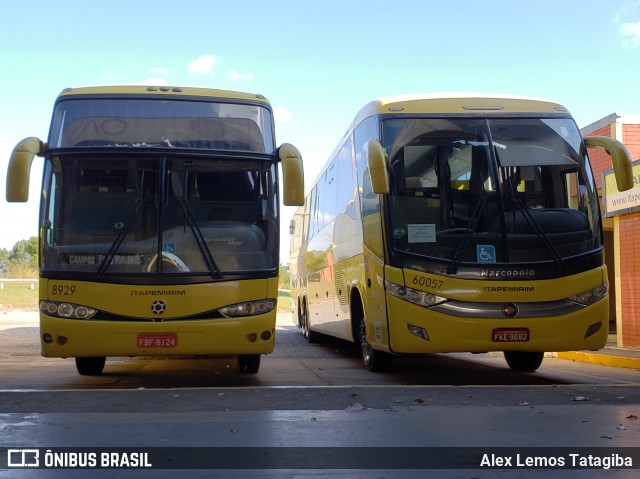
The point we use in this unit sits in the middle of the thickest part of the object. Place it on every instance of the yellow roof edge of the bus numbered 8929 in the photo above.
(162, 90)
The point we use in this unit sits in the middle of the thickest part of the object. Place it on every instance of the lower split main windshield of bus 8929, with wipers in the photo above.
(159, 215)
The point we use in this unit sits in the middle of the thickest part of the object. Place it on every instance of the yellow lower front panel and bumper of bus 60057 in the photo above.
(448, 333)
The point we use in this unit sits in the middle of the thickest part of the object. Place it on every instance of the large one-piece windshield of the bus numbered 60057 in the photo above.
(510, 190)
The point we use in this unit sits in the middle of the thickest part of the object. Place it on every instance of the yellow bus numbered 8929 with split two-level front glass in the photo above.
(159, 223)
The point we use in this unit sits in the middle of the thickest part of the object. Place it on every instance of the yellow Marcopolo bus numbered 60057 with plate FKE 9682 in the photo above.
(456, 223)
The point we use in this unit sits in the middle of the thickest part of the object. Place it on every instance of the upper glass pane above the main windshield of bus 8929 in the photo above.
(161, 123)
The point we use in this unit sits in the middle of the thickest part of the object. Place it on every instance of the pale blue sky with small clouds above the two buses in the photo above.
(318, 62)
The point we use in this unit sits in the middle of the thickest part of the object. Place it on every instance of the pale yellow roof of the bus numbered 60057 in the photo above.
(458, 103)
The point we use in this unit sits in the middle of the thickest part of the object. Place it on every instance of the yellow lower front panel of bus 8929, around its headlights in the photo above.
(133, 303)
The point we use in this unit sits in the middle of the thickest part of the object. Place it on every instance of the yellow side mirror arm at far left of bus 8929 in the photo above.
(19, 168)
